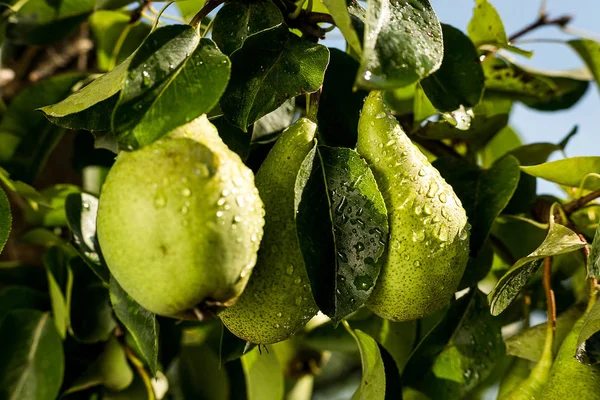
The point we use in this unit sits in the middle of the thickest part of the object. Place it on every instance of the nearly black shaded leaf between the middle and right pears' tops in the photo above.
(340, 106)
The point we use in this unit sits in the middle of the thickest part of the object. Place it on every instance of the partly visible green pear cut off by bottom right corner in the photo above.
(568, 378)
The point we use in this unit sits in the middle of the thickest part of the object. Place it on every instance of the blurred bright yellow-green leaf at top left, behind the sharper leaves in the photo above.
(109, 28)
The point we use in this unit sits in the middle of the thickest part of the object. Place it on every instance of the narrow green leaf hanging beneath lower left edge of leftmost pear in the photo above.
(140, 323)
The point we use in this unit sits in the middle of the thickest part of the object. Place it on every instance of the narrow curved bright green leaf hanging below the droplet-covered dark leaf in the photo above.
(373, 382)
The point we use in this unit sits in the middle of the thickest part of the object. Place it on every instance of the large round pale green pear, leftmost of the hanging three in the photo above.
(180, 222)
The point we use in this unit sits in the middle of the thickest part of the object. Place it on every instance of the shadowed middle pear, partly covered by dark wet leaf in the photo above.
(278, 300)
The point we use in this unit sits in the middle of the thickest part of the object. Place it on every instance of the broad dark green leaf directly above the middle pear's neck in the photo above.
(264, 77)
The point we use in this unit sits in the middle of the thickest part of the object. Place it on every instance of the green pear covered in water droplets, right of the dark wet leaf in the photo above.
(428, 245)
